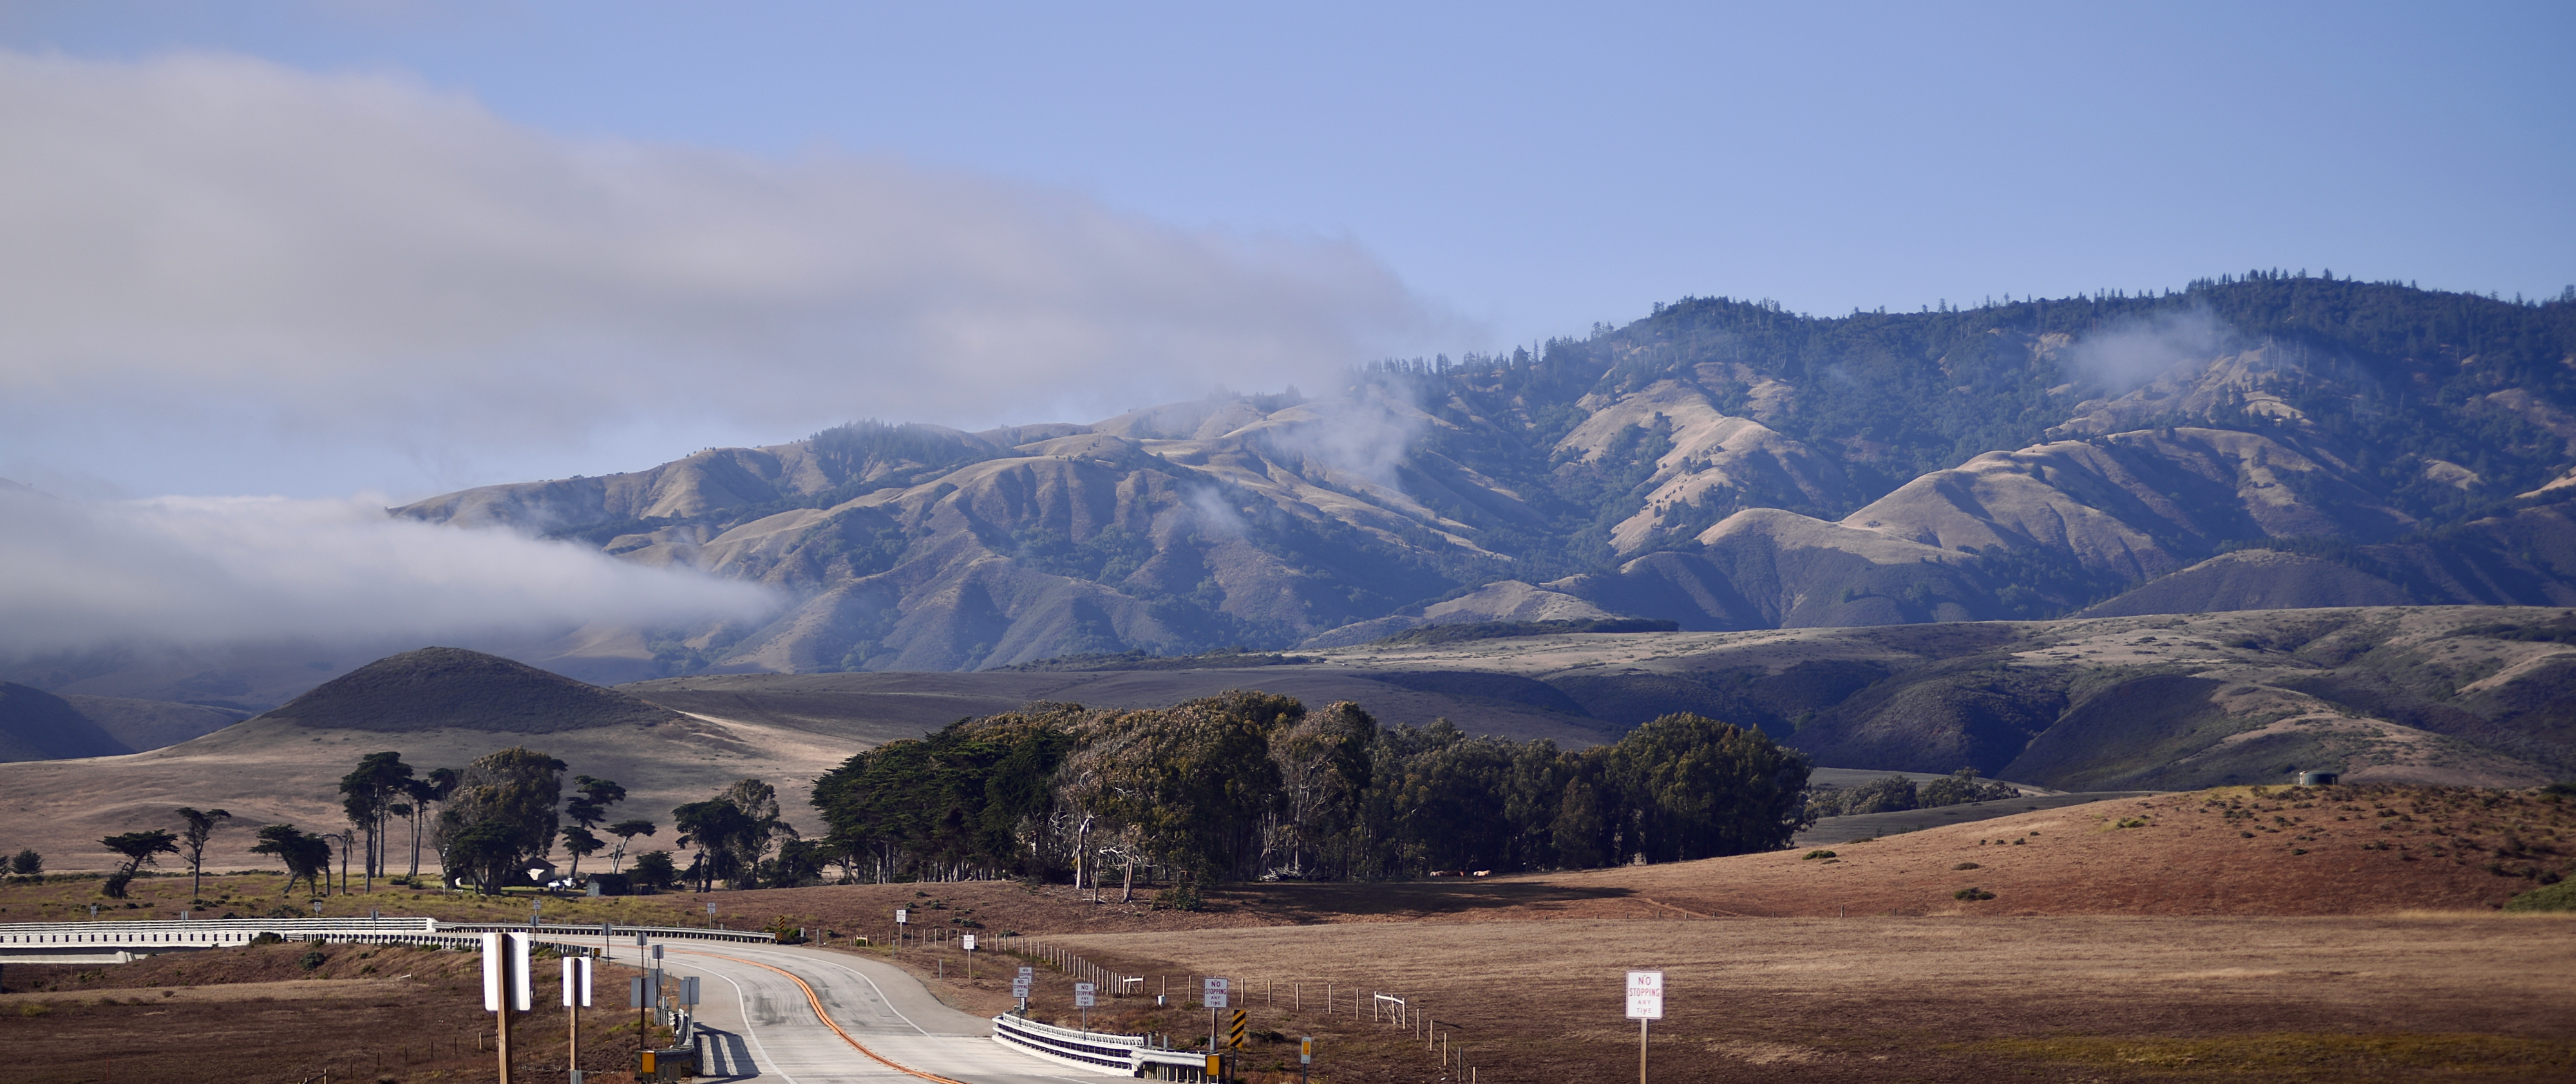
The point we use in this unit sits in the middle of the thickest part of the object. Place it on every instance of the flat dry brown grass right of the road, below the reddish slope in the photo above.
(1877, 1000)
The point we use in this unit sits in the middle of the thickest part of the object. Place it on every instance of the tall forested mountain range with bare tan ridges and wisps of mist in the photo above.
(1719, 465)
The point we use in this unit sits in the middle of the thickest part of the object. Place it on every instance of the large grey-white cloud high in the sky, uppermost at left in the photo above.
(367, 259)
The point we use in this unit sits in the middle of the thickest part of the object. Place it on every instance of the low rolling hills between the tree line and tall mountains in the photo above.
(2454, 696)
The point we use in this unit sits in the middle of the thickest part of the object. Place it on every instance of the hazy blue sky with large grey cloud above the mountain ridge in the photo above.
(1413, 179)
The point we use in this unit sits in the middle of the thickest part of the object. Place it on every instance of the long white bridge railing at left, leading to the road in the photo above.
(128, 941)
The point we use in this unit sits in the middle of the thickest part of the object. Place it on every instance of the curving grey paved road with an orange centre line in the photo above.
(764, 1026)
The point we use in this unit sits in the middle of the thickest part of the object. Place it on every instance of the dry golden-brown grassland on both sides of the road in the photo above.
(2222, 936)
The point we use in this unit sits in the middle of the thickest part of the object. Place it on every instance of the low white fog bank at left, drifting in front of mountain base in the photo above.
(197, 573)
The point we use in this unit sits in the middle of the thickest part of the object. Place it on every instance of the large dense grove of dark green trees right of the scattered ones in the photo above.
(1256, 787)
